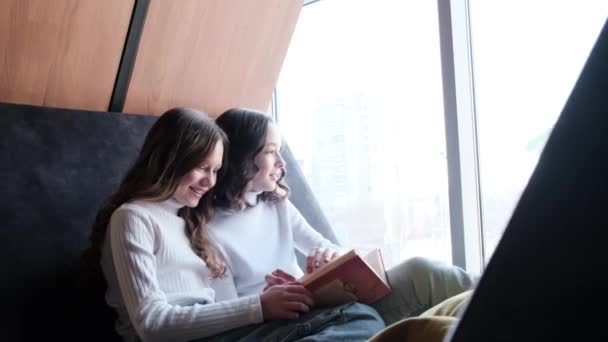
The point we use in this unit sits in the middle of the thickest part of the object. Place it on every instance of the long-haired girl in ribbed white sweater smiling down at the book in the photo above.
(164, 278)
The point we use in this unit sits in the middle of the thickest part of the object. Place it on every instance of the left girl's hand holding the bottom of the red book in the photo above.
(285, 301)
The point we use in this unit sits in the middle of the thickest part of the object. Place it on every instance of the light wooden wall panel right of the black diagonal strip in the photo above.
(210, 54)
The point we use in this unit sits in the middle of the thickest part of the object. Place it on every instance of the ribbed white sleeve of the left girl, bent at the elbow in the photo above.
(132, 241)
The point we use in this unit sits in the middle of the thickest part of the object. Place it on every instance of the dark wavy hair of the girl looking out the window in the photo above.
(246, 129)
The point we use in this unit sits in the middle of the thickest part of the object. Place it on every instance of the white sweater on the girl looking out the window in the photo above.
(256, 241)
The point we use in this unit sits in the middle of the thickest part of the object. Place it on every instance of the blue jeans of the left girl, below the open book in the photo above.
(349, 322)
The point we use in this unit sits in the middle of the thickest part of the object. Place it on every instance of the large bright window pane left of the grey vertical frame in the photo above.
(360, 103)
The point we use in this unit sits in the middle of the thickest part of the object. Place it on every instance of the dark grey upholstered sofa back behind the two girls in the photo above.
(57, 166)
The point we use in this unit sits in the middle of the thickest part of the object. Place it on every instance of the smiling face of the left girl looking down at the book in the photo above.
(201, 179)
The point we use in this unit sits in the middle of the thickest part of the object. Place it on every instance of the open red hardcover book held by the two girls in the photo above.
(348, 278)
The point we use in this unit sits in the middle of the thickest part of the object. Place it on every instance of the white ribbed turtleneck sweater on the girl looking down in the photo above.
(161, 290)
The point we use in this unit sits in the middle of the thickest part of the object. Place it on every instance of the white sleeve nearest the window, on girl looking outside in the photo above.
(304, 236)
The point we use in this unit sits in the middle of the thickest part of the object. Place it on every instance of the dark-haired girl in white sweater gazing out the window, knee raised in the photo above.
(258, 230)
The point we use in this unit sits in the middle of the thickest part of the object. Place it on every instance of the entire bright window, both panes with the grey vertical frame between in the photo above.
(360, 101)
